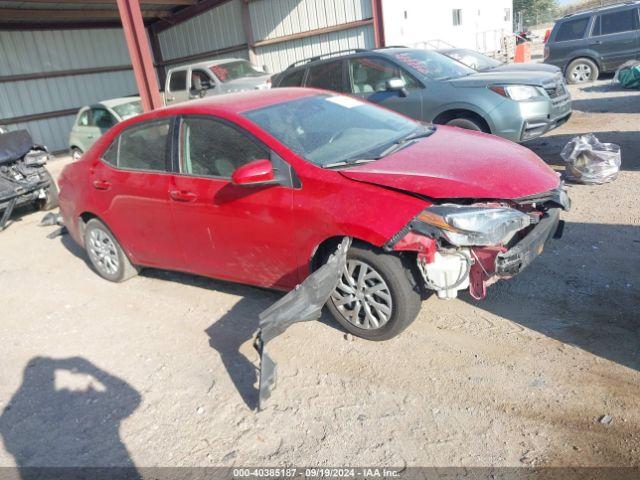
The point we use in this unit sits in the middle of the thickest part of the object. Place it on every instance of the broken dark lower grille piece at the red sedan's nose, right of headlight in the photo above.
(518, 257)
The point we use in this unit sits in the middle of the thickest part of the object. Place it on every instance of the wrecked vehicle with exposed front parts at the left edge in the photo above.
(23, 177)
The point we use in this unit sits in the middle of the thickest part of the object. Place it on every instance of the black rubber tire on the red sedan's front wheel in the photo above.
(397, 274)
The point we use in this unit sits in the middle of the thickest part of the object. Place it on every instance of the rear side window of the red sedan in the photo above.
(142, 148)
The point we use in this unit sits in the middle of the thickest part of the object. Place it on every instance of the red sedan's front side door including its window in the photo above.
(239, 233)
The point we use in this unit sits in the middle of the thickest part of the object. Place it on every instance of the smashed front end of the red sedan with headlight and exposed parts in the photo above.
(470, 246)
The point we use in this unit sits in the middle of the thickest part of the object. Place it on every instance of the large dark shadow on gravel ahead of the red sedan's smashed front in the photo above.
(584, 290)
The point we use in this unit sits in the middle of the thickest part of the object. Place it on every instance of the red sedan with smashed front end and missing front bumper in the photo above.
(260, 187)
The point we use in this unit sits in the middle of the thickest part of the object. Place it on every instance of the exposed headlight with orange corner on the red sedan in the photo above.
(469, 226)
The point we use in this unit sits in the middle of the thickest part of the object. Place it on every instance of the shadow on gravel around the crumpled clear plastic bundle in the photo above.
(549, 147)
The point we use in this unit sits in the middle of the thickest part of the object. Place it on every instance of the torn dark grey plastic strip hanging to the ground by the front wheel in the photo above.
(302, 304)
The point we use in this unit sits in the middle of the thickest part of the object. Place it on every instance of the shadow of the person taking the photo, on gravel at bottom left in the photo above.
(67, 413)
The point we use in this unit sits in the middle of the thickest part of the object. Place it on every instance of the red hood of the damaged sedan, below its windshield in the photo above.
(457, 163)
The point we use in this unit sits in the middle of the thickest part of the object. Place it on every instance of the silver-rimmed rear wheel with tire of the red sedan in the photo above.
(106, 254)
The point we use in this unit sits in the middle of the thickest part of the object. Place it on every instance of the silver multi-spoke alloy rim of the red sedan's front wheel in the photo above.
(362, 296)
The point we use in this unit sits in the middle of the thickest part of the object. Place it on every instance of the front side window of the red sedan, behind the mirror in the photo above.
(211, 148)
